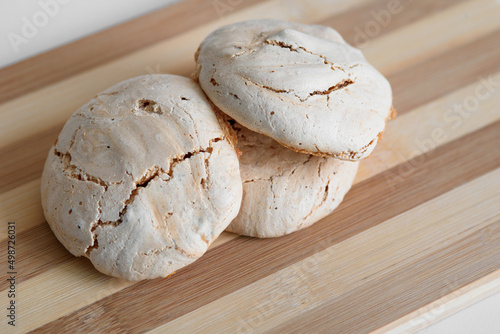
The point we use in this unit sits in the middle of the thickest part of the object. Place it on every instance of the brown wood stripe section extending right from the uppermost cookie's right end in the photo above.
(445, 73)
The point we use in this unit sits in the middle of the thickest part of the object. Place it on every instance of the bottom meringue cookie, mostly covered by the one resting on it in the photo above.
(285, 191)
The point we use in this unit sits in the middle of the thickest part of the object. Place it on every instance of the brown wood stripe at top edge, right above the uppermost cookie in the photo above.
(369, 21)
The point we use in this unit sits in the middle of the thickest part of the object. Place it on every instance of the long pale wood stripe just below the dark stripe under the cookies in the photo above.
(329, 274)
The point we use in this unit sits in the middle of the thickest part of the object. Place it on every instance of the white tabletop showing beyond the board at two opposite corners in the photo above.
(77, 18)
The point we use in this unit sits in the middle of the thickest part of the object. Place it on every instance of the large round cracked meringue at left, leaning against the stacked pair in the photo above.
(142, 178)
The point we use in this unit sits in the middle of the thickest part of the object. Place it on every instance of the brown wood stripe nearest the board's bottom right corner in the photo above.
(441, 273)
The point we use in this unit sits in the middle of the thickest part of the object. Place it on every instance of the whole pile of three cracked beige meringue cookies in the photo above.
(144, 177)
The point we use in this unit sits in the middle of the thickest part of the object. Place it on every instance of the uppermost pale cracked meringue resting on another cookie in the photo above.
(299, 84)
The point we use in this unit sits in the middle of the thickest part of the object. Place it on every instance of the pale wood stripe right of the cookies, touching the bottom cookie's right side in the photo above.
(419, 131)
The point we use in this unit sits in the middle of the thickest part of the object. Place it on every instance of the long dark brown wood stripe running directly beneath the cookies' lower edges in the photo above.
(243, 261)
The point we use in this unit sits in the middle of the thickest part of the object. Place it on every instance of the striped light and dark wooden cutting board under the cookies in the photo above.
(417, 237)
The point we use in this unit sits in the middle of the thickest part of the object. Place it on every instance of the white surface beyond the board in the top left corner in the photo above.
(70, 20)
